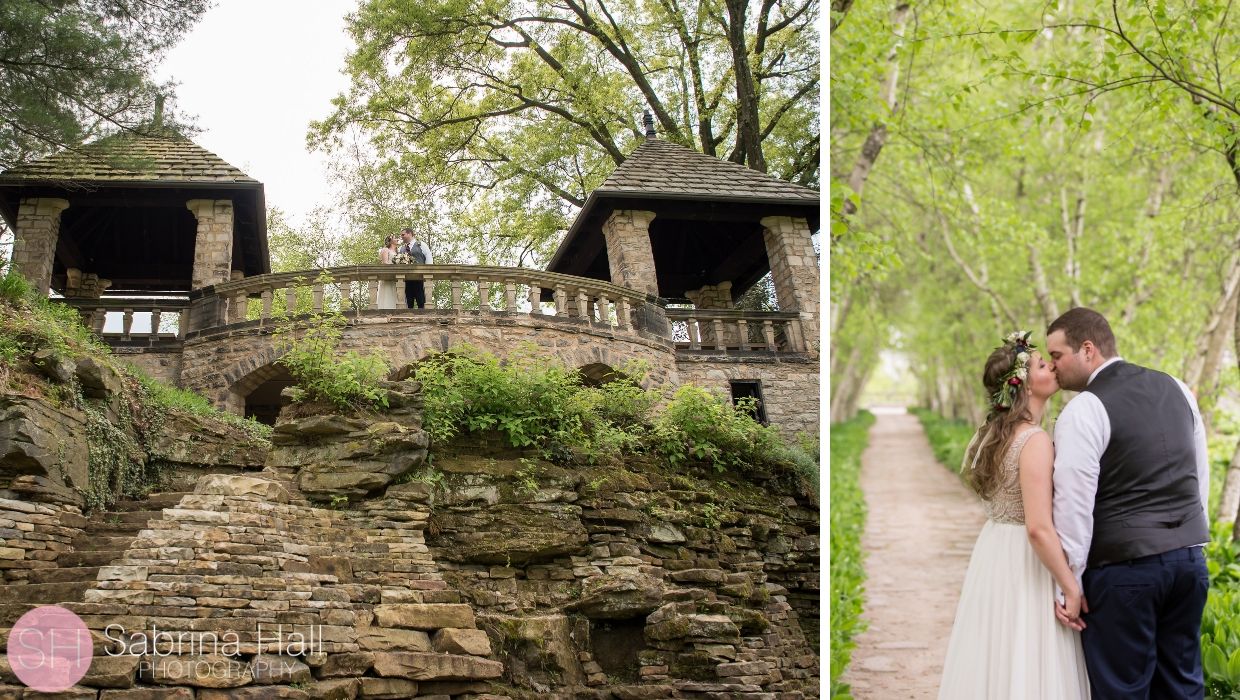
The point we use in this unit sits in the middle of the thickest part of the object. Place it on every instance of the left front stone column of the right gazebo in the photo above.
(633, 263)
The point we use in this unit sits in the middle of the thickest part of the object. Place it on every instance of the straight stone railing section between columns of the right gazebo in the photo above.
(722, 330)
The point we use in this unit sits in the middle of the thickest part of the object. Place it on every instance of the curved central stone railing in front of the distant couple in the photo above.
(448, 288)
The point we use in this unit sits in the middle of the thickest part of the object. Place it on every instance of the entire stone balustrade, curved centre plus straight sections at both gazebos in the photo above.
(451, 291)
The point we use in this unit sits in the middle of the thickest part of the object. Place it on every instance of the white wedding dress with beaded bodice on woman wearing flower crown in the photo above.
(1006, 642)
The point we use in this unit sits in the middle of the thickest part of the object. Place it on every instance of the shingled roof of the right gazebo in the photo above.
(665, 170)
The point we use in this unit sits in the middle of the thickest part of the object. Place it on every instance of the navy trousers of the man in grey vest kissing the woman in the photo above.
(1144, 628)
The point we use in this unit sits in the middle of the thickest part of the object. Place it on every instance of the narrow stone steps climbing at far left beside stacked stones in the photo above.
(104, 541)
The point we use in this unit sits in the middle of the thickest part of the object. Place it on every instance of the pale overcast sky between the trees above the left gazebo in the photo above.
(256, 74)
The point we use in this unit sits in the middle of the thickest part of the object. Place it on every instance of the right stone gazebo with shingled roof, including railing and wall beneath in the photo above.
(693, 230)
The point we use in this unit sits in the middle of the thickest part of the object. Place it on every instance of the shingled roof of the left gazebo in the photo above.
(128, 159)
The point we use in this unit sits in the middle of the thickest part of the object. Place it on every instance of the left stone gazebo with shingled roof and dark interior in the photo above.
(135, 215)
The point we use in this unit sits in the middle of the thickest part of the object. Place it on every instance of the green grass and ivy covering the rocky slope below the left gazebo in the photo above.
(121, 432)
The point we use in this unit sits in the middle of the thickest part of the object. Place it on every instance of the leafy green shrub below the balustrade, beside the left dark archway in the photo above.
(347, 381)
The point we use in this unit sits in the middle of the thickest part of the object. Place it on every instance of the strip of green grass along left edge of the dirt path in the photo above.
(848, 522)
